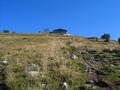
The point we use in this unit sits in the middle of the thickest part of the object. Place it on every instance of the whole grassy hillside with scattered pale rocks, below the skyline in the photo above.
(44, 62)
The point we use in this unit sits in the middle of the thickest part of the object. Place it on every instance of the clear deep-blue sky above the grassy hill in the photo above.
(79, 17)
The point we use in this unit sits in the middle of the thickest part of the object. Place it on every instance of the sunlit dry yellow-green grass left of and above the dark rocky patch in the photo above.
(48, 54)
